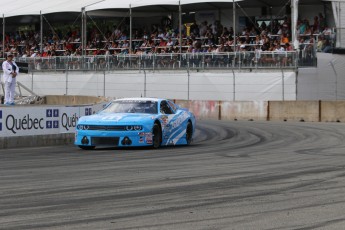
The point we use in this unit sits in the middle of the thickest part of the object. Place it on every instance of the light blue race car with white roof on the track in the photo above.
(133, 122)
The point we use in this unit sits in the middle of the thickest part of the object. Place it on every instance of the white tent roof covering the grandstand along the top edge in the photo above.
(35, 7)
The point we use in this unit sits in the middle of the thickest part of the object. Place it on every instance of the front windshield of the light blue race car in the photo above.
(132, 107)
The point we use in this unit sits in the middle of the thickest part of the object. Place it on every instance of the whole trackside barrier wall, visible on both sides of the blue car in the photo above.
(22, 126)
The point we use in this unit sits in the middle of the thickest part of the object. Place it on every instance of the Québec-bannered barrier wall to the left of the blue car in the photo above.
(41, 125)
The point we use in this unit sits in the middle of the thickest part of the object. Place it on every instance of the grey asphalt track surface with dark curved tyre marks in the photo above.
(236, 175)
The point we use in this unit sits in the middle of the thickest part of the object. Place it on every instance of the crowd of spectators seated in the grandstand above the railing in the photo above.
(203, 37)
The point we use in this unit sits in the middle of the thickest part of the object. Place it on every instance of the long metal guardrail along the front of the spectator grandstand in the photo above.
(172, 61)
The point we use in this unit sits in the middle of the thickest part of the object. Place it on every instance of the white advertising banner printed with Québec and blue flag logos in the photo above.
(42, 120)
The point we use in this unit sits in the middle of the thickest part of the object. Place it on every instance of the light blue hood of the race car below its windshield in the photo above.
(119, 118)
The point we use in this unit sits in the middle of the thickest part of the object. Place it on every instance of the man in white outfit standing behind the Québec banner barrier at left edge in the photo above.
(11, 71)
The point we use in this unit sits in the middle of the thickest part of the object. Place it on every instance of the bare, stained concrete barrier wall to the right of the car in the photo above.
(308, 111)
